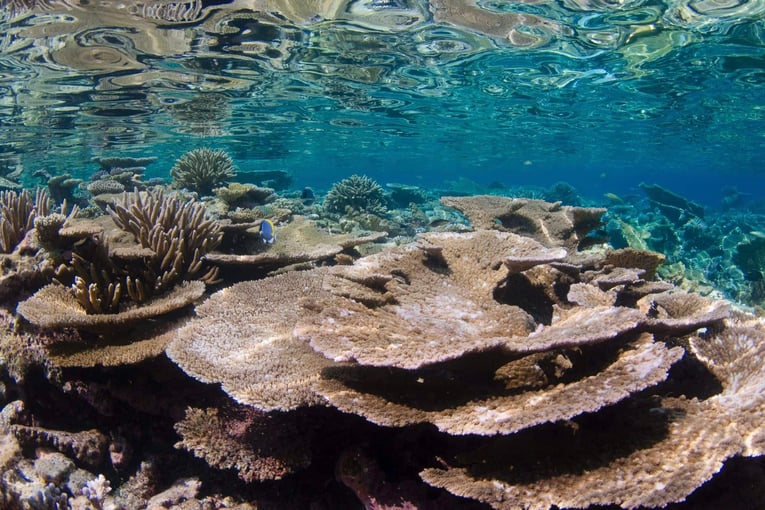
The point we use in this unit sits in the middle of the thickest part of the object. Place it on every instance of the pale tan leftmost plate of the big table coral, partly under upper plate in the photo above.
(242, 338)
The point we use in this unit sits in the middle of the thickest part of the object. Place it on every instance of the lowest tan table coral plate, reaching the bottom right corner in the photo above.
(699, 437)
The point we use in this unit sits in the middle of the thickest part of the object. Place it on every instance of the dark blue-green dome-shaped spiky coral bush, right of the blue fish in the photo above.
(356, 194)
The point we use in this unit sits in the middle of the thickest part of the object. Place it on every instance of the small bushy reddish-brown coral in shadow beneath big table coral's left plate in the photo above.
(257, 445)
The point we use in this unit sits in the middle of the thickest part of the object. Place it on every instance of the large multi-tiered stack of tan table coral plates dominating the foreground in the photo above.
(534, 369)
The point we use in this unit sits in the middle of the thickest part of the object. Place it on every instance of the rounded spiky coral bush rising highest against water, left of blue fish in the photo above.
(201, 170)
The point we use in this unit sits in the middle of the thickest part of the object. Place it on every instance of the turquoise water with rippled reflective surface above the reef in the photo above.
(603, 95)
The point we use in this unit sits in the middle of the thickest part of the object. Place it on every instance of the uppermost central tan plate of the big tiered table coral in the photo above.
(441, 303)
